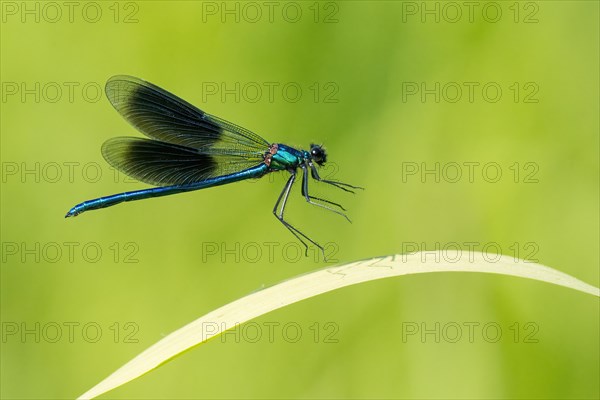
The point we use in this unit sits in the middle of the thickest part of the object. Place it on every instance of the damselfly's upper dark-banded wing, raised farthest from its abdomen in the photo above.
(163, 116)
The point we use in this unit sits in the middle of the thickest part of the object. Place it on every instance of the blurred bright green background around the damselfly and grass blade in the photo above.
(164, 262)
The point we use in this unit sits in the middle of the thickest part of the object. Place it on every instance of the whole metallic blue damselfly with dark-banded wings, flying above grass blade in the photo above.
(189, 149)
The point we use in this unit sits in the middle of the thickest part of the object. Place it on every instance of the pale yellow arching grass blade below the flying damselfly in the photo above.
(321, 281)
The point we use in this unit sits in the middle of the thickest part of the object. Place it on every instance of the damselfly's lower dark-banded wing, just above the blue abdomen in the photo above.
(161, 164)
